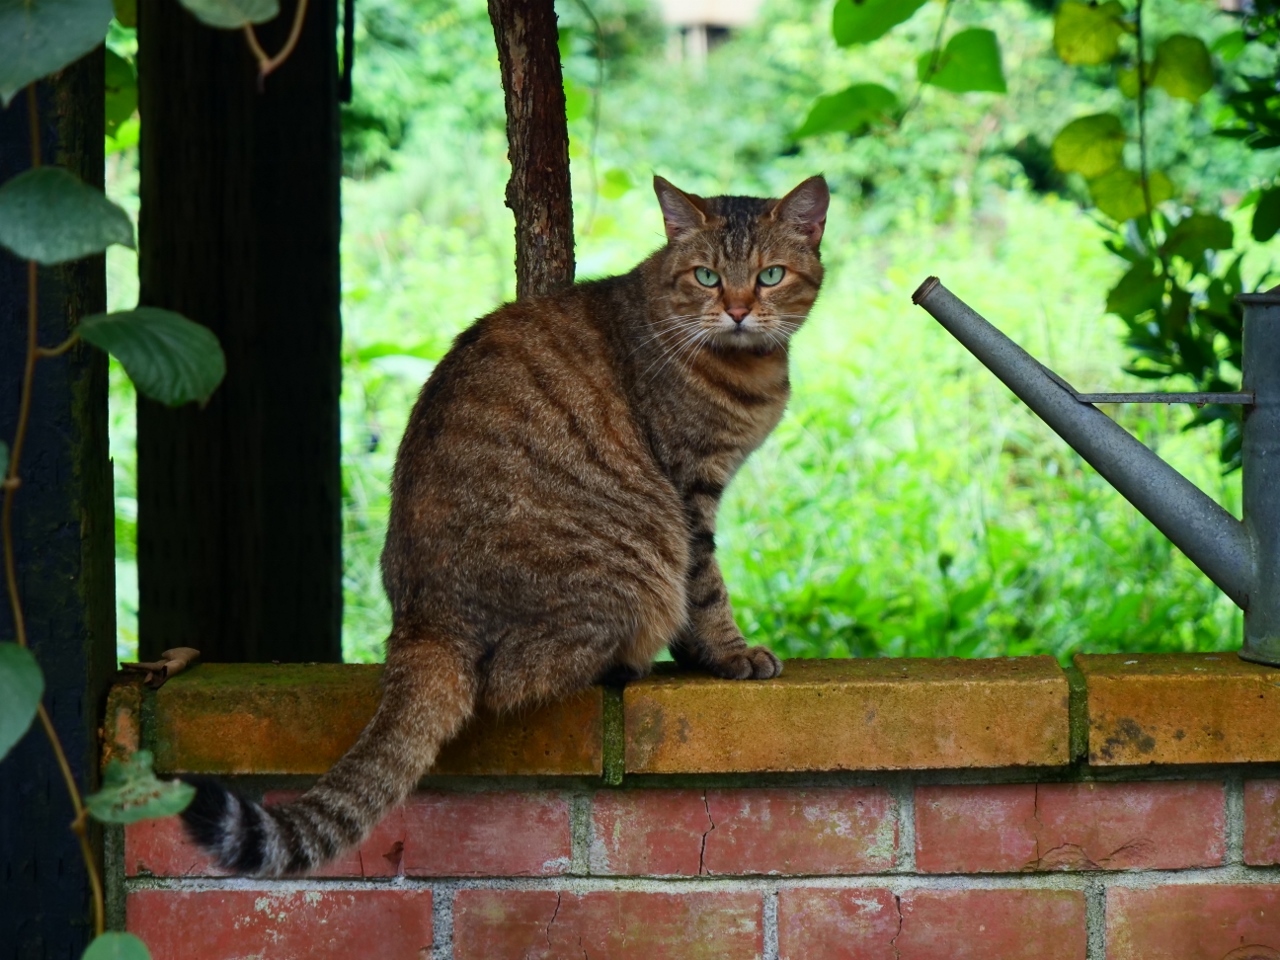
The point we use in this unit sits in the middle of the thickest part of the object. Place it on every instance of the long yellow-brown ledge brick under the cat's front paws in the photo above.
(853, 715)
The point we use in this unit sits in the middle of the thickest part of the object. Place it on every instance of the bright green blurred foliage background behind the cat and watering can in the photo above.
(908, 505)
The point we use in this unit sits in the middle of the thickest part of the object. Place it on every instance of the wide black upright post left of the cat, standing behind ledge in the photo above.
(240, 525)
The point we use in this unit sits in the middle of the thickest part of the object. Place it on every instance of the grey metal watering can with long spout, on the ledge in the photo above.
(1241, 556)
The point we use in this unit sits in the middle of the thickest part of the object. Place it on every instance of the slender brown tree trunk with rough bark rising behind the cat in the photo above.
(538, 193)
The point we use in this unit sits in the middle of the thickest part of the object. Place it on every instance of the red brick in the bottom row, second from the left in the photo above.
(547, 925)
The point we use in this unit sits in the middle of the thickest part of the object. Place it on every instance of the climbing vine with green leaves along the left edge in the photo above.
(51, 217)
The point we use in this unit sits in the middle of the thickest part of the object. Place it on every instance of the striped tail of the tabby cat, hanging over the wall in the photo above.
(428, 694)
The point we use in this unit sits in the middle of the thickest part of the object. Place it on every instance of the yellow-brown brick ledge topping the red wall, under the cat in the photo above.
(821, 716)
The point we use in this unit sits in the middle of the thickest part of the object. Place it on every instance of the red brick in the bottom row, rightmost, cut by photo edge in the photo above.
(1195, 924)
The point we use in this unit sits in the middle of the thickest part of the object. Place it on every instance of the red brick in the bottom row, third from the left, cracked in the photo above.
(931, 925)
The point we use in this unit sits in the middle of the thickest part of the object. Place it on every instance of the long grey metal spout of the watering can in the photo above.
(1215, 541)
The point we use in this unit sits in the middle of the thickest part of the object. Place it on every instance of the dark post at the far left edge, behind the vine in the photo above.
(63, 531)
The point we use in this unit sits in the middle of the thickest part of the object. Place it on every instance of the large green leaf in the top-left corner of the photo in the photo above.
(39, 38)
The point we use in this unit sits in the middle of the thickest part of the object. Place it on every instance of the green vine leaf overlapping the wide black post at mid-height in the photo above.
(170, 359)
